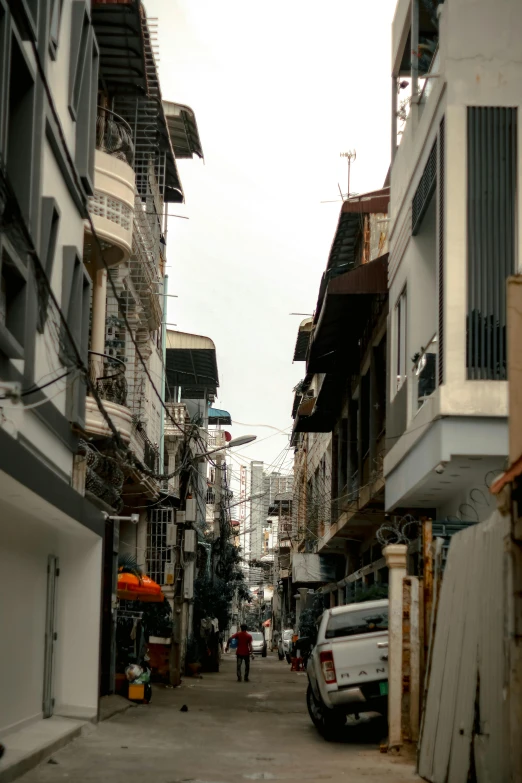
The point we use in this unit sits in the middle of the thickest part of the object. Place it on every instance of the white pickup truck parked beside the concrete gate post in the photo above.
(348, 667)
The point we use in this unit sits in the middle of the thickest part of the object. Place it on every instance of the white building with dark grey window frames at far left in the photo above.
(52, 537)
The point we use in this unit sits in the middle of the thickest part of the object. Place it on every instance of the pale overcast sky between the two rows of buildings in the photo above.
(279, 89)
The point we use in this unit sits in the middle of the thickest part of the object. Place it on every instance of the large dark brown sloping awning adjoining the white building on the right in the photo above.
(343, 315)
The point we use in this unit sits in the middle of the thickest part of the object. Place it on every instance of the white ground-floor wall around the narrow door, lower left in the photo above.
(26, 543)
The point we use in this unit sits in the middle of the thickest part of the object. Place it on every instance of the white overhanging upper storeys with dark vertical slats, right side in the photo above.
(453, 242)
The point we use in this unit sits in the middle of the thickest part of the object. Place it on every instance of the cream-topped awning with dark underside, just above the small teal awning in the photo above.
(192, 365)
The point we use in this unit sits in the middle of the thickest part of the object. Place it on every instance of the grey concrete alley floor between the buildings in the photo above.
(232, 732)
